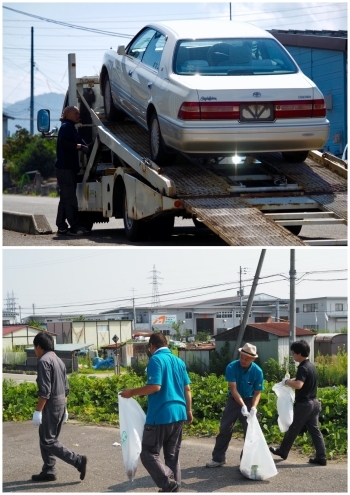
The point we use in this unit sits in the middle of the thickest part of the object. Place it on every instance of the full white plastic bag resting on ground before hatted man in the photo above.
(256, 462)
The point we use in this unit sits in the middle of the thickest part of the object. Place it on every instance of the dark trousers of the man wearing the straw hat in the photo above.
(231, 413)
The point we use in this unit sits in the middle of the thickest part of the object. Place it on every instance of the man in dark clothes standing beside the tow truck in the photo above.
(67, 167)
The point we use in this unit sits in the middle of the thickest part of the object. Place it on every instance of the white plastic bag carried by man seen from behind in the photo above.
(131, 421)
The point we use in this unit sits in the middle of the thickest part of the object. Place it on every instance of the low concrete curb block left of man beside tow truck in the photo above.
(25, 223)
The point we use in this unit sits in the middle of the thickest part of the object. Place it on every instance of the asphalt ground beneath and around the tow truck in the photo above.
(112, 233)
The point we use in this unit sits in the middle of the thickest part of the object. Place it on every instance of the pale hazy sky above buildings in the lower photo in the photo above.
(90, 281)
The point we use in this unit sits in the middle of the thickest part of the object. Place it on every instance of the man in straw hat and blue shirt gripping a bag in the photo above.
(245, 381)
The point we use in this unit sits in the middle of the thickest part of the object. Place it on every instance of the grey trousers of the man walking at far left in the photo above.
(50, 447)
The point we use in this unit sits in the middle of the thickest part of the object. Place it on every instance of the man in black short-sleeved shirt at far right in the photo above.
(306, 406)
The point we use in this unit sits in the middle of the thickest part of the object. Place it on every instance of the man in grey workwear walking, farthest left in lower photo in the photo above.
(51, 412)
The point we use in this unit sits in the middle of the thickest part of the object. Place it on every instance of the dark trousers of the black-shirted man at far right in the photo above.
(305, 413)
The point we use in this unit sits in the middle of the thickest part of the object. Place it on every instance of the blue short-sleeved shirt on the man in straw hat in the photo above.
(247, 381)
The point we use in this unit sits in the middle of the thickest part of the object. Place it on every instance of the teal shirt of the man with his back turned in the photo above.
(168, 405)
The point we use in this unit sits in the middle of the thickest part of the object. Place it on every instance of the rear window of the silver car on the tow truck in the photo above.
(231, 57)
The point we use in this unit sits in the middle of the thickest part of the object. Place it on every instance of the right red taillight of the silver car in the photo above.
(300, 109)
